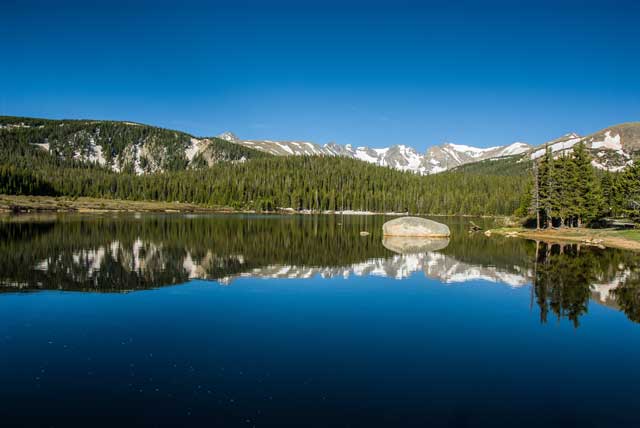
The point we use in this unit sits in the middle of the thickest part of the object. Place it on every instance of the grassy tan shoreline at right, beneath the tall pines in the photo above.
(627, 239)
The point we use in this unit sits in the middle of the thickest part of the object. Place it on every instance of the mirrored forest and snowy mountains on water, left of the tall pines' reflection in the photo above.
(106, 254)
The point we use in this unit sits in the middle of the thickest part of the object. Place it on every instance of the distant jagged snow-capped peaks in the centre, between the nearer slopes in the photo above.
(400, 157)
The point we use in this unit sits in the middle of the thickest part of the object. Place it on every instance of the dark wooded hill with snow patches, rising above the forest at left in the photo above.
(116, 146)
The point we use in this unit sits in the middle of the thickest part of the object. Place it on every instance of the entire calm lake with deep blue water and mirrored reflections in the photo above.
(247, 320)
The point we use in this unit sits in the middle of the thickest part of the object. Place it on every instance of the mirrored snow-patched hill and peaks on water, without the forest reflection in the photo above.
(117, 266)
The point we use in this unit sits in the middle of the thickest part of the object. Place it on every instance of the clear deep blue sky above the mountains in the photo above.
(365, 73)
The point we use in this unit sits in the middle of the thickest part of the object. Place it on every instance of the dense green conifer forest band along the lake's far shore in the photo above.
(265, 184)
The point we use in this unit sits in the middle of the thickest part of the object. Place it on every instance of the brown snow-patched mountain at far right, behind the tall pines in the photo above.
(612, 148)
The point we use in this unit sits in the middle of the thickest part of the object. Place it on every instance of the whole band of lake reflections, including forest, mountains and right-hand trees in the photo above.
(117, 254)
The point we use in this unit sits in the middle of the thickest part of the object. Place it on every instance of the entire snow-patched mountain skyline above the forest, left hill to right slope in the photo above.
(134, 147)
